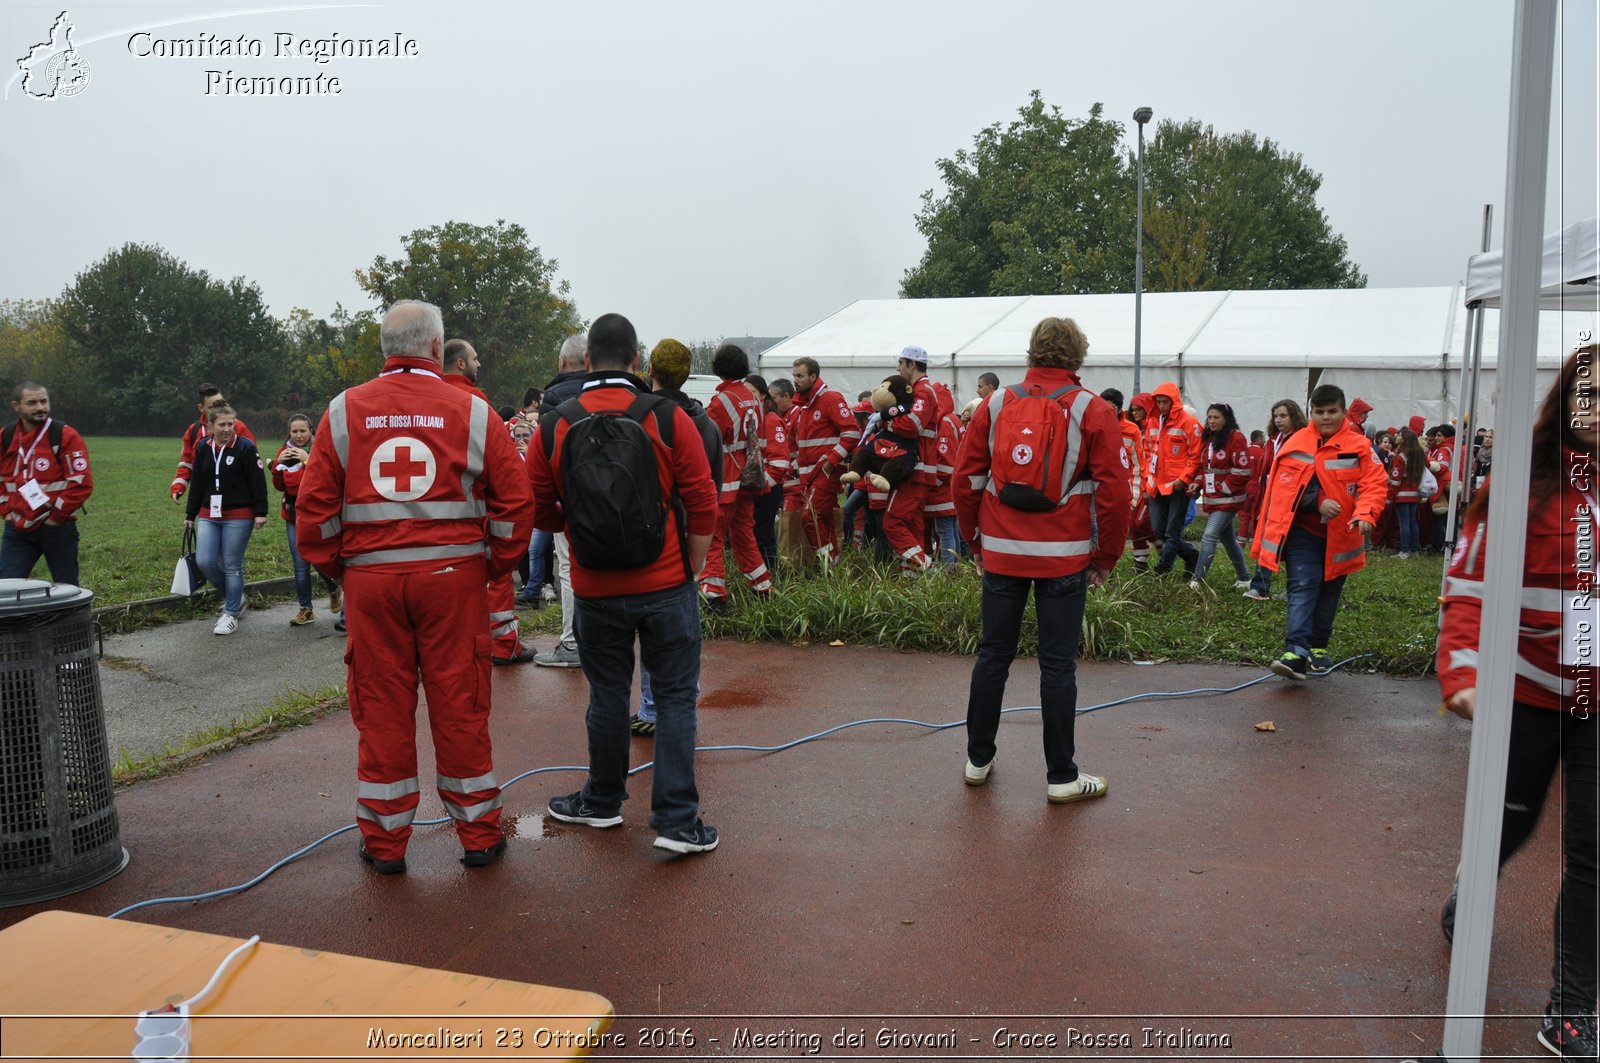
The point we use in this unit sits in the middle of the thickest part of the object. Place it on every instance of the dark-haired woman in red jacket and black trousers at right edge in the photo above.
(1553, 716)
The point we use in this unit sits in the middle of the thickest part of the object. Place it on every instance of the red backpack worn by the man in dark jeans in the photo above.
(1028, 447)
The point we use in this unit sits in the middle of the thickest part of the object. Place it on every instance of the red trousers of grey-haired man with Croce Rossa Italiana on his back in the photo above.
(430, 625)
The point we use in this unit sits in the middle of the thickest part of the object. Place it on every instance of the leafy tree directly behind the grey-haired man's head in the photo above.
(495, 291)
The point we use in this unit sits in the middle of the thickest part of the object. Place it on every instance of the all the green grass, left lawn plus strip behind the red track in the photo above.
(132, 532)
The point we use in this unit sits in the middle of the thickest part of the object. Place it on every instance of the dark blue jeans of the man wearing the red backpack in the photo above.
(1058, 603)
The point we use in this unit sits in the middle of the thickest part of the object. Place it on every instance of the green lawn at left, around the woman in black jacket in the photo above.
(130, 532)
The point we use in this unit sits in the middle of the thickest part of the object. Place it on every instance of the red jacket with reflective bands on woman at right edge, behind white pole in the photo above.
(1554, 579)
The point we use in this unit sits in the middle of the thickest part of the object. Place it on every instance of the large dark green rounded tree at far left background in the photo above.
(148, 329)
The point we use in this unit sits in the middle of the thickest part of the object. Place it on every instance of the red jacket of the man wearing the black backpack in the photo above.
(684, 473)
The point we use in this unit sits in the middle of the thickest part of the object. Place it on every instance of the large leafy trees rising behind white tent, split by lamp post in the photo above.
(1047, 206)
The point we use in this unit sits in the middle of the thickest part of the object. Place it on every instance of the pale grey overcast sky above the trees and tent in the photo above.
(734, 169)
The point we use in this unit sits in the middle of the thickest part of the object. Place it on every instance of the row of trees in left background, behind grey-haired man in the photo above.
(124, 347)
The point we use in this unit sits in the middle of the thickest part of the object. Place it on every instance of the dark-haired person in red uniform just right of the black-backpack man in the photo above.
(738, 417)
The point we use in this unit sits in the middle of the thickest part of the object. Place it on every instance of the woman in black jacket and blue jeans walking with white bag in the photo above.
(228, 502)
